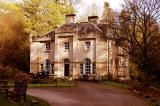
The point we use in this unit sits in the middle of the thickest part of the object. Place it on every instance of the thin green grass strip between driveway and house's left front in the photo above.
(60, 84)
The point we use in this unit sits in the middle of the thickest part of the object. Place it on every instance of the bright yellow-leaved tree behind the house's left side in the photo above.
(40, 16)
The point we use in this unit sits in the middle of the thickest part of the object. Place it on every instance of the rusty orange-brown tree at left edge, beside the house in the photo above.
(14, 46)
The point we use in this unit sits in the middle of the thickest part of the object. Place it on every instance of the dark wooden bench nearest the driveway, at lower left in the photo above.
(19, 90)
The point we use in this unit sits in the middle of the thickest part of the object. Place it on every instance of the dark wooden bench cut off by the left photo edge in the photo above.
(4, 87)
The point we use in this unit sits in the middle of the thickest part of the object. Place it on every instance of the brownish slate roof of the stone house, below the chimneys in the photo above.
(82, 28)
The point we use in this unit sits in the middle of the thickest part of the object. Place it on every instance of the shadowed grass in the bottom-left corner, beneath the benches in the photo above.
(30, 101)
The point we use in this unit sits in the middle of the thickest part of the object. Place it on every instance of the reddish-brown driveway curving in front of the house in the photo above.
(87, 94)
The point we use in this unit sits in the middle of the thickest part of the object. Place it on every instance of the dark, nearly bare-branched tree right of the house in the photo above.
(139, 33)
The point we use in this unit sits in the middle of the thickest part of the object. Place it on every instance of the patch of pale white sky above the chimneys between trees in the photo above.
(114, 4)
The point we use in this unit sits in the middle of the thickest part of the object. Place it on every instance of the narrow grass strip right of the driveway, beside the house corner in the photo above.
(111, 83)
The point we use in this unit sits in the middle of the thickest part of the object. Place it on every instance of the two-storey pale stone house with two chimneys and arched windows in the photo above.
(78, 49)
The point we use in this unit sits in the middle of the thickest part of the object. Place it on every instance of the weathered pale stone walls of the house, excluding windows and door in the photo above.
(104, 53)
